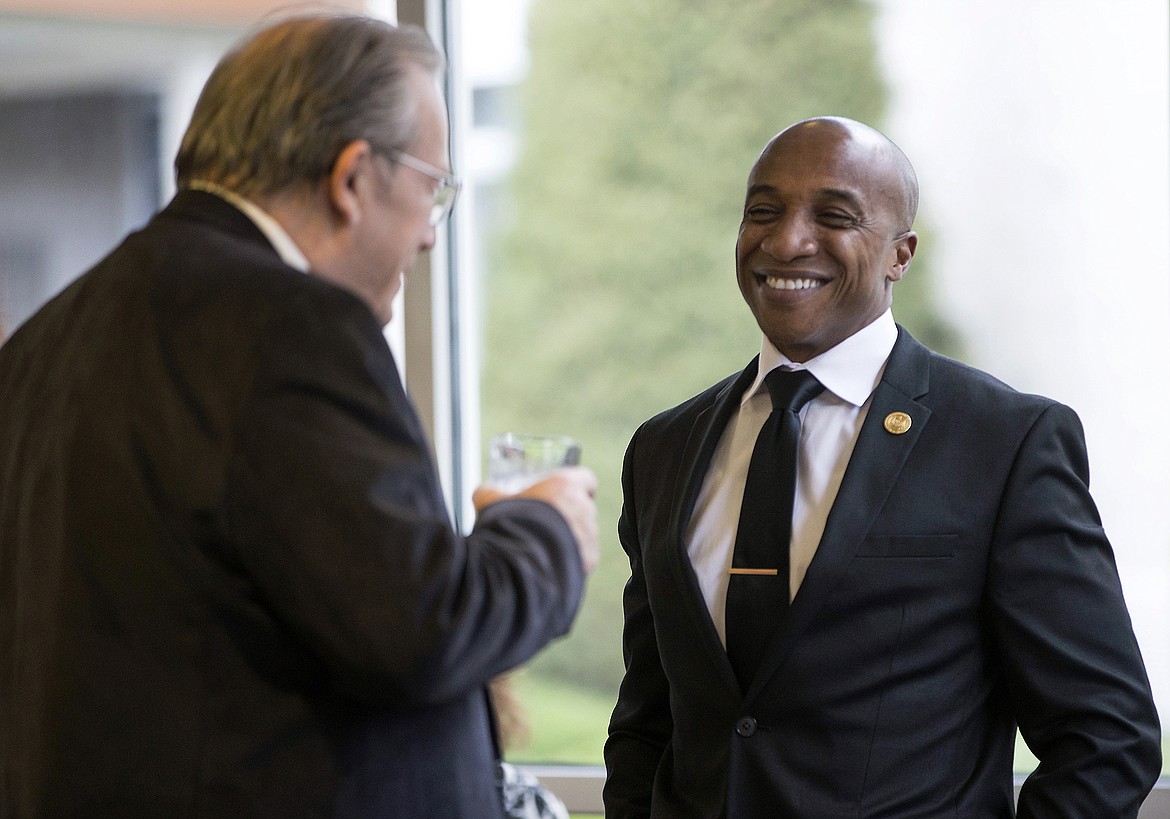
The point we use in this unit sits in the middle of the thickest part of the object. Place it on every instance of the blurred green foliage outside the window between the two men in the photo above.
(611, 290)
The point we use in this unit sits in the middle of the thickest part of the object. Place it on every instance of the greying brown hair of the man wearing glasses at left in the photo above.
(280, 108)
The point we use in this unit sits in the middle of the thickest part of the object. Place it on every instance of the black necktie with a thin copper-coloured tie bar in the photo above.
(759, 586)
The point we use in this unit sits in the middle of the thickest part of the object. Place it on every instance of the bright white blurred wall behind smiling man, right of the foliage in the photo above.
(1041, 130)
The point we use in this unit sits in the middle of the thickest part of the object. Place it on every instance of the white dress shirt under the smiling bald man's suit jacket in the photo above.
(830, 428)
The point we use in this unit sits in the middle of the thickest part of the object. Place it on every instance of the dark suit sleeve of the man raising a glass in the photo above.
(340, 527)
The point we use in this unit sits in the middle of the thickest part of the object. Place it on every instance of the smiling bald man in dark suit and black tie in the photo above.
(938, 579)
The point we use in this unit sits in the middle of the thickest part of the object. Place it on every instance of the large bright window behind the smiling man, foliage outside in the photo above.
(605, 195)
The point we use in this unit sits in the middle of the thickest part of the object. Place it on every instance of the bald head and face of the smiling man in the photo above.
(827, 233)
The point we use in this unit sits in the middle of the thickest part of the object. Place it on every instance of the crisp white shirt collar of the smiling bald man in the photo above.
(851, 370)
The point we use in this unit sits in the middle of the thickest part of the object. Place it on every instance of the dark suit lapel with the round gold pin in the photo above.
(878, 459)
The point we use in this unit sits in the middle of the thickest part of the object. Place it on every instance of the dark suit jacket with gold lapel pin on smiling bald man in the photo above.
(963, 587)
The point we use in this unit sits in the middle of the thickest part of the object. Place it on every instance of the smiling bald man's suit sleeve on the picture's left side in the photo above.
(642, 726)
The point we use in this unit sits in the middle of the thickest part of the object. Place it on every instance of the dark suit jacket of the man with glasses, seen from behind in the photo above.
(229, 583)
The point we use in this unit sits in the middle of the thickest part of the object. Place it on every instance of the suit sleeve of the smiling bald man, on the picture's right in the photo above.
(1077, 679)
